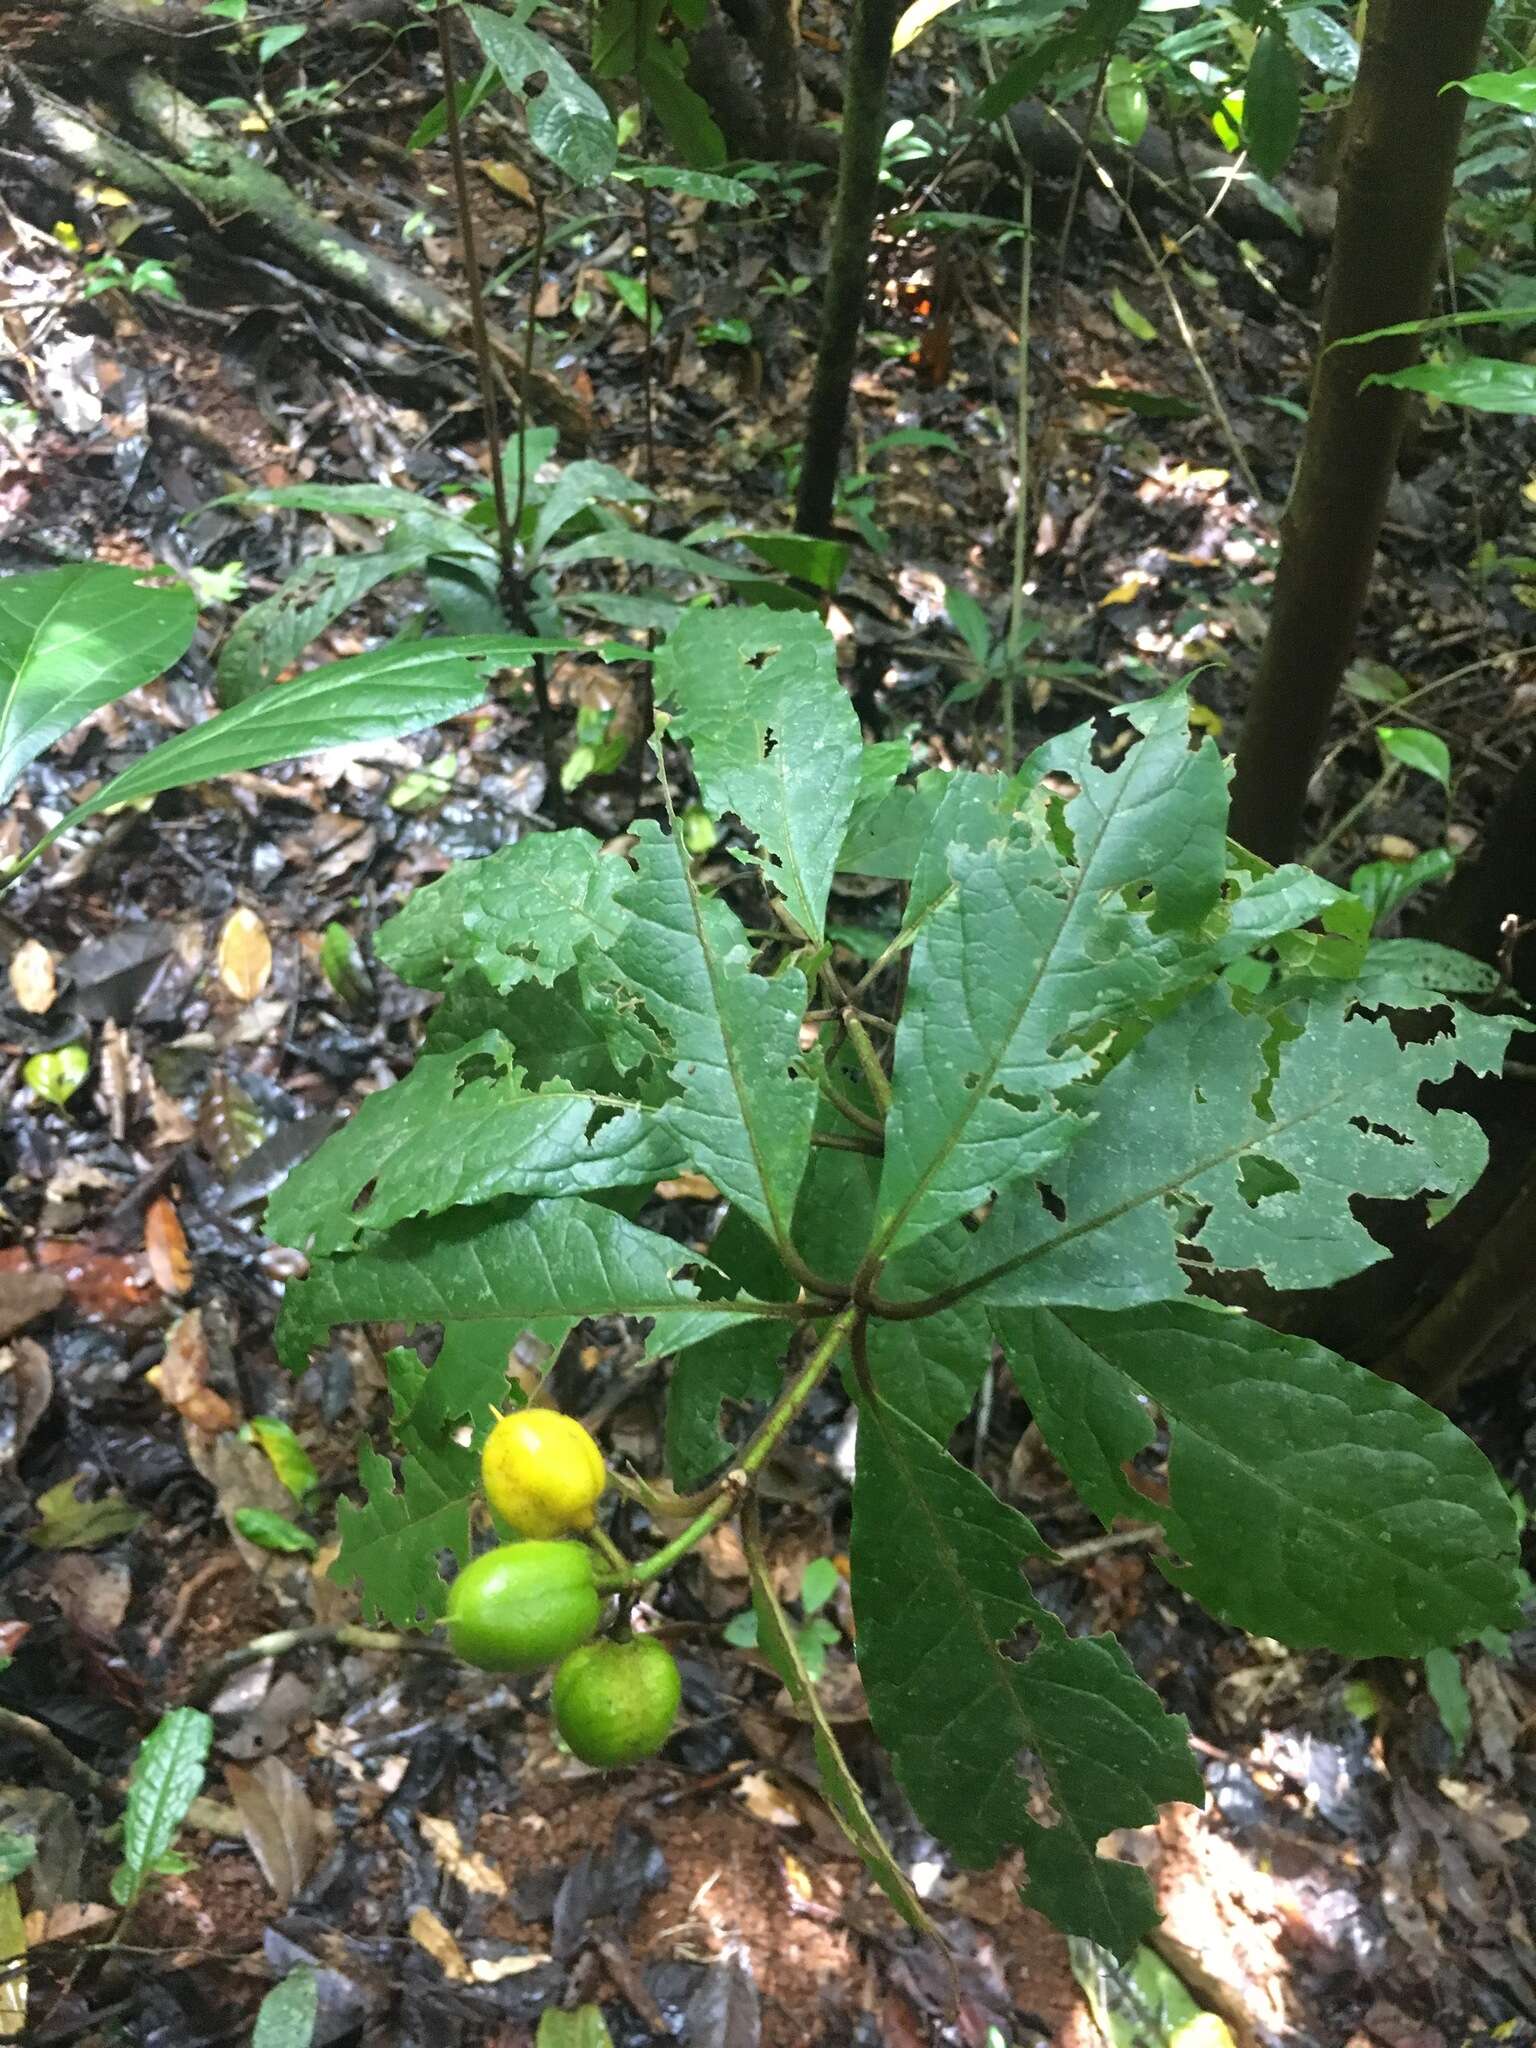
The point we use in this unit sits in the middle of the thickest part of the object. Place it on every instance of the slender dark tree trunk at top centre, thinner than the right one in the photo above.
(843, 308)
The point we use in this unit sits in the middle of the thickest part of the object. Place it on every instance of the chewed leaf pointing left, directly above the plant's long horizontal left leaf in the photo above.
(460, 1129)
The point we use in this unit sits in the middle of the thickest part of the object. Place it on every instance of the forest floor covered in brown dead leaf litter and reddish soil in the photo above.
(1363, 1873)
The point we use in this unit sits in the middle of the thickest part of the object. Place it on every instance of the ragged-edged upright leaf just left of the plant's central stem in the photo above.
(746, 1097)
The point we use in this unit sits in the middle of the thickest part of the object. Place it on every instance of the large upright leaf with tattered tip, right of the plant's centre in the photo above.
(1027, 953)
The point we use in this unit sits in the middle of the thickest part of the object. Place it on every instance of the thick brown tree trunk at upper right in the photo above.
(1394, 196)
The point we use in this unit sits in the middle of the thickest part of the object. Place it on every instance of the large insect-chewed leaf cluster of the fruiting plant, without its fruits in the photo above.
(1103, 1054)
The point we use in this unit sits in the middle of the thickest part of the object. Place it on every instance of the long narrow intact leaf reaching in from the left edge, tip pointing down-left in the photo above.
(372, 697)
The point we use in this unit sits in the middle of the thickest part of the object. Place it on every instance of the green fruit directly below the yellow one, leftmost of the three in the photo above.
(523, 1607)
